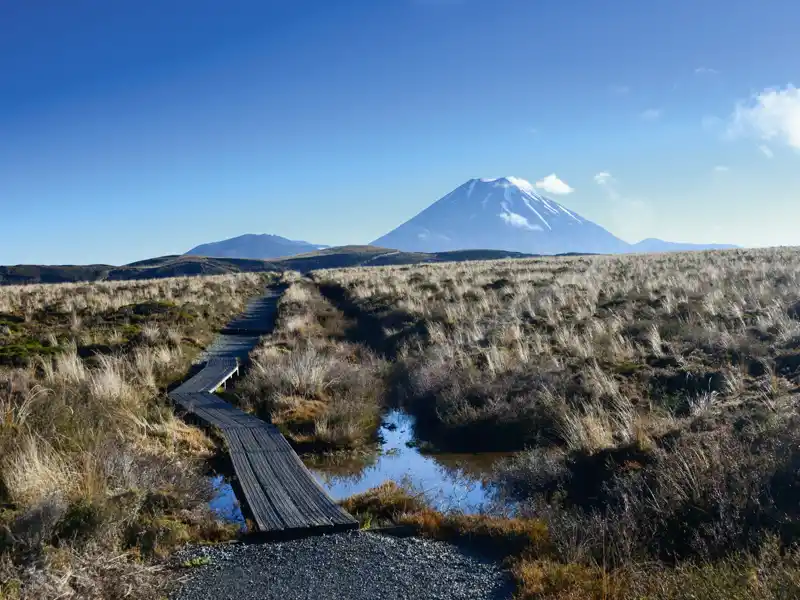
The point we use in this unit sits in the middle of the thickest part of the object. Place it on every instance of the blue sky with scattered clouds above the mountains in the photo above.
(131, 129)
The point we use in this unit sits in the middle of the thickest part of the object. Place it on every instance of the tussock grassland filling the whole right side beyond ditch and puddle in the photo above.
(651, 401)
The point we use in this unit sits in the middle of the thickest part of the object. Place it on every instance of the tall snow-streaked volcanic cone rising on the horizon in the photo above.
(501, 214)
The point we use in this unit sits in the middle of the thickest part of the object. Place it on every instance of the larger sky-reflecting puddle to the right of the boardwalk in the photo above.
(452, 481)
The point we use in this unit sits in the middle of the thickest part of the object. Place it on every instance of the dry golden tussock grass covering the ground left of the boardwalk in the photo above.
(97, 475)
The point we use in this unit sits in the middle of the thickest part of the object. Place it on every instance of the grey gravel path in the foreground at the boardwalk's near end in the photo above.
(348, 566)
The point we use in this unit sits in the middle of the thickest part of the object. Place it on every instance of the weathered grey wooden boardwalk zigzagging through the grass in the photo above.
(280, 494)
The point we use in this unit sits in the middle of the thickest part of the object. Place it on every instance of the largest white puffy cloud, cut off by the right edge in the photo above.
(773, 114)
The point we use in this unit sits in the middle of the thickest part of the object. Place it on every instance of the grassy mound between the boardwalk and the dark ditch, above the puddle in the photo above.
(323, 392)
